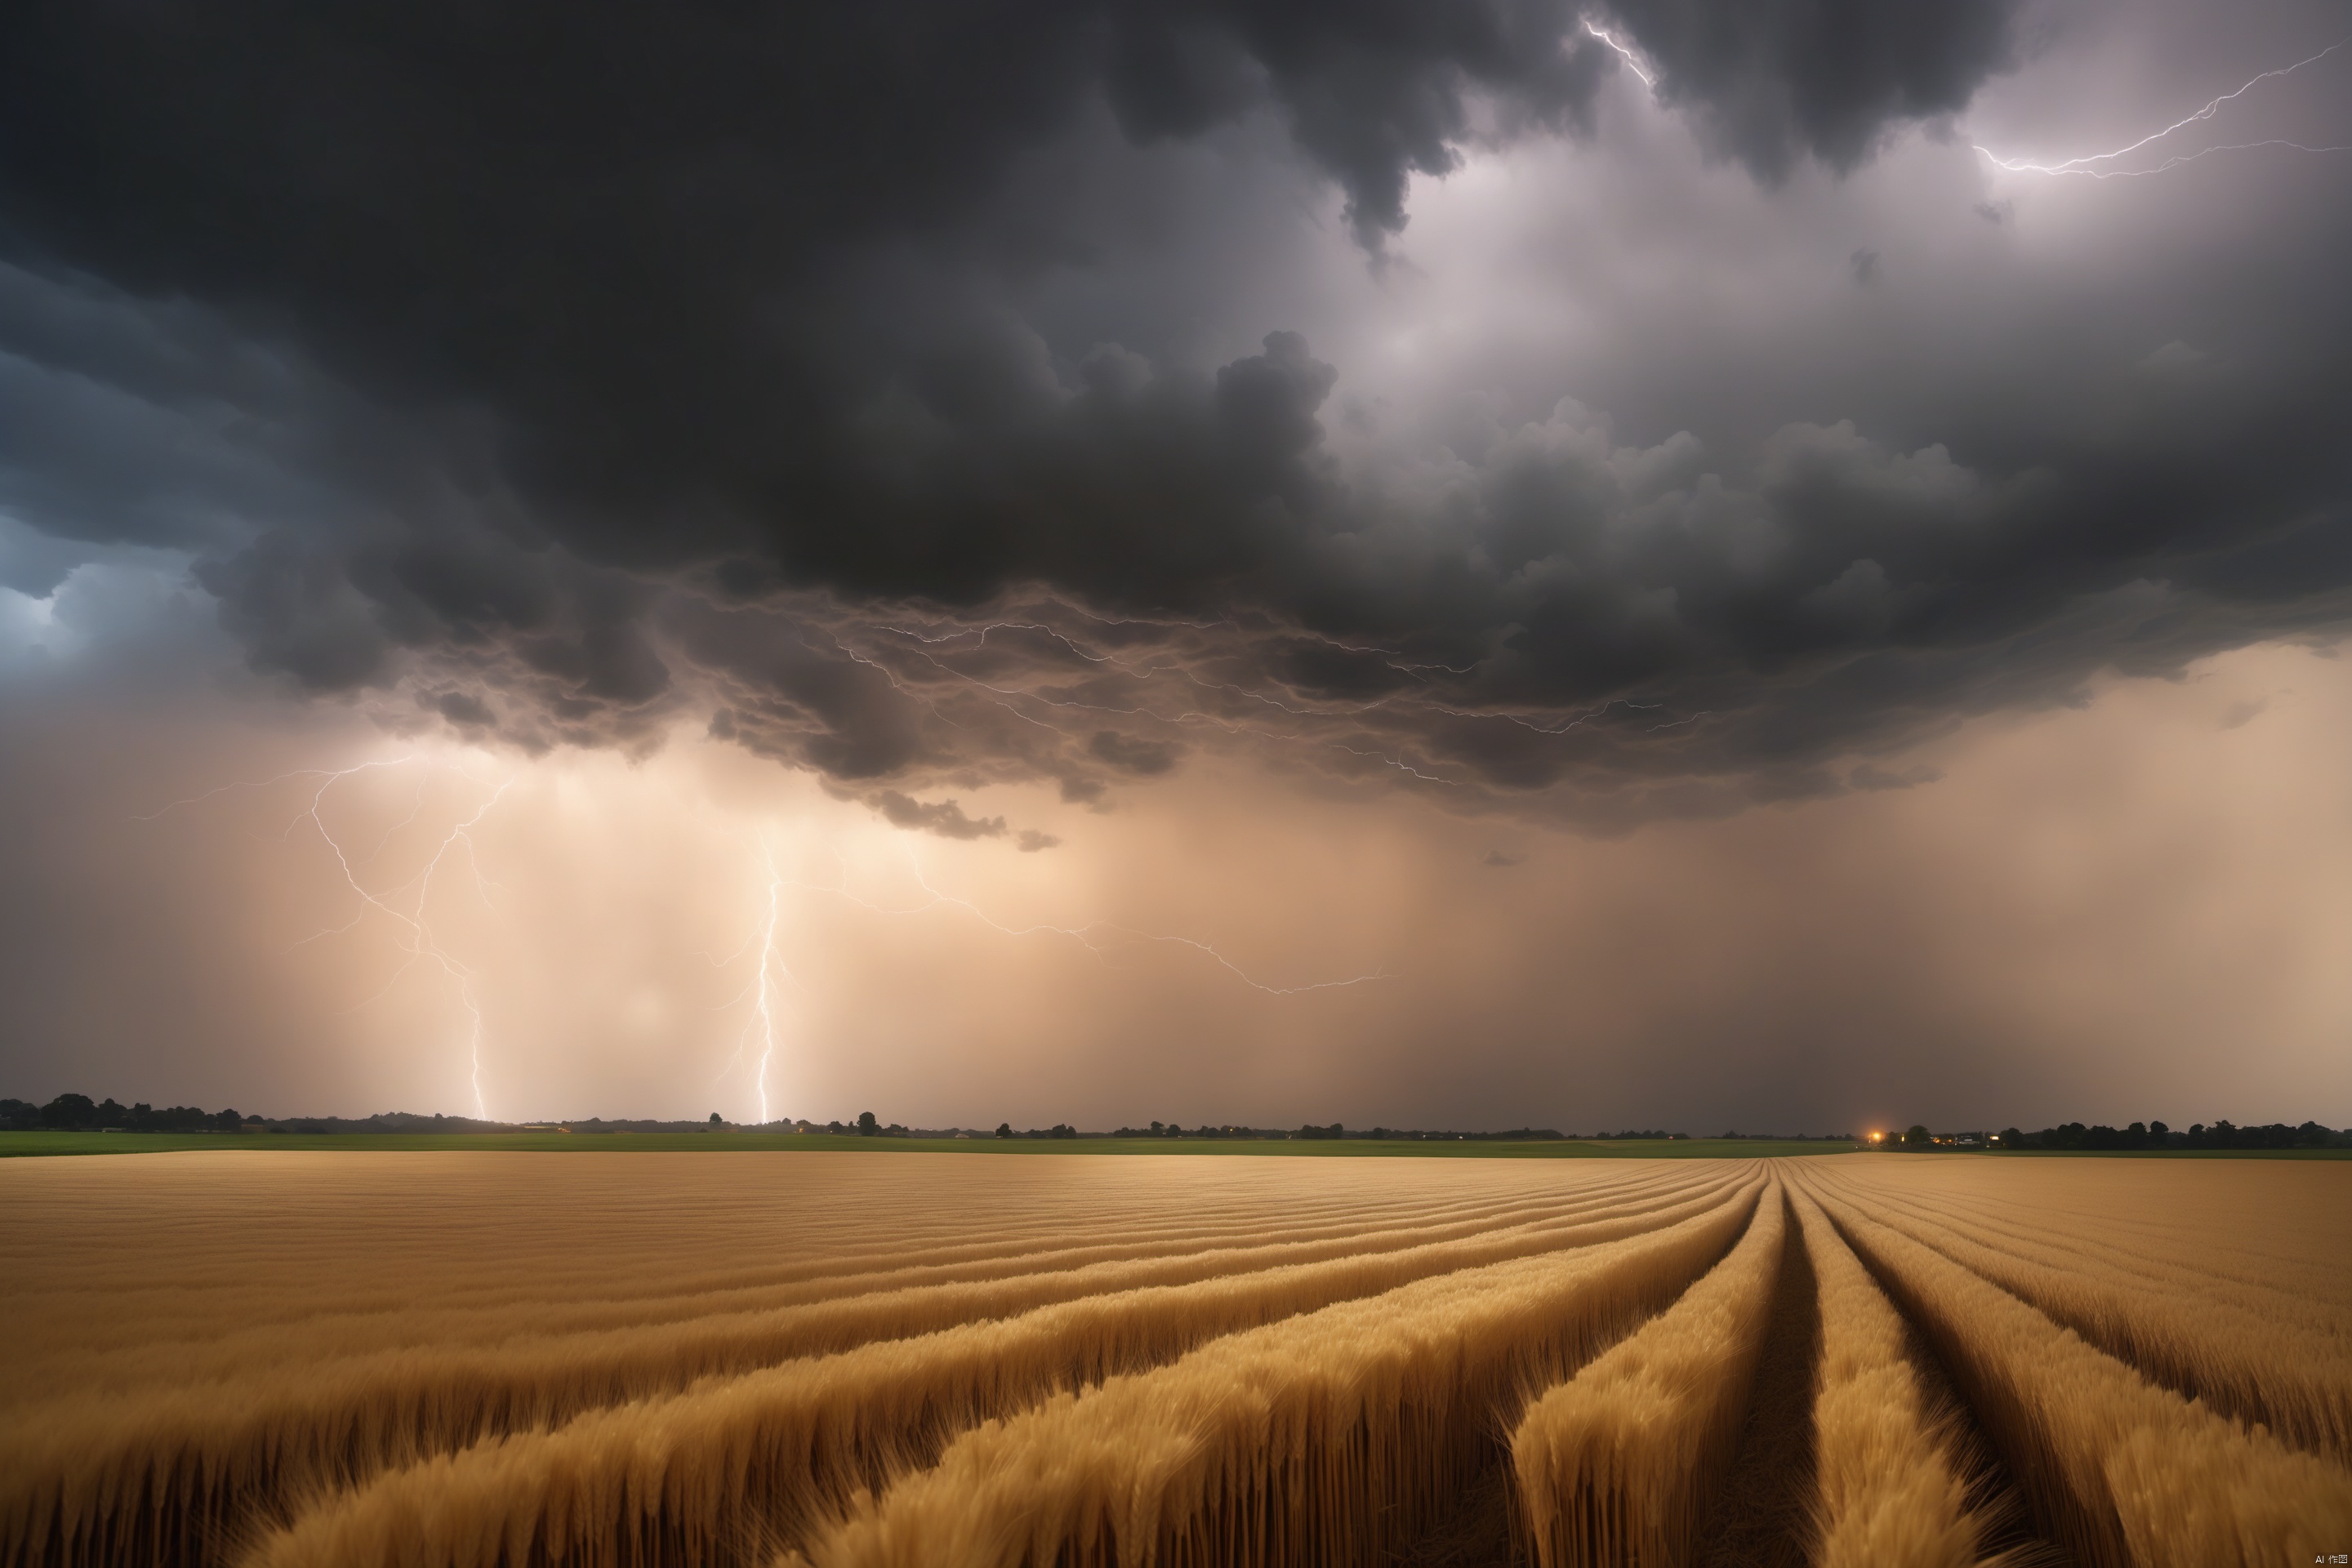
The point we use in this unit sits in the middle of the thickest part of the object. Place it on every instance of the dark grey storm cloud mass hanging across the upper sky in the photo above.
(575, 368)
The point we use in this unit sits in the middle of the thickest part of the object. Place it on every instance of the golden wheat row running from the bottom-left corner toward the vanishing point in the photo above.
(166, 1468)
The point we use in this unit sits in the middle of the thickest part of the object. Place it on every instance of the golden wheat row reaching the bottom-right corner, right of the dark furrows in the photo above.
(2125, 1470)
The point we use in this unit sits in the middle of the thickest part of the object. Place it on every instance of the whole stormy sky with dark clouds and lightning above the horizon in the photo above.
(1772, 568)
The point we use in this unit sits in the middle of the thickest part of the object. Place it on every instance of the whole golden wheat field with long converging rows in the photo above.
(850, 1360)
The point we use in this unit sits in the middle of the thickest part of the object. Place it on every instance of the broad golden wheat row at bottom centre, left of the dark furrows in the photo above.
(1318, 1440)
